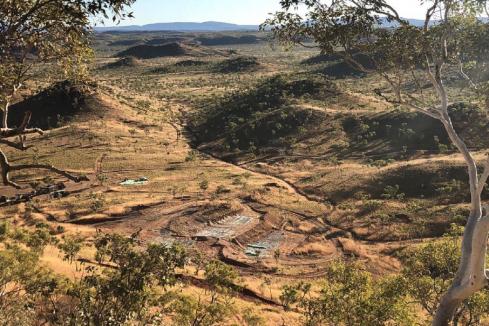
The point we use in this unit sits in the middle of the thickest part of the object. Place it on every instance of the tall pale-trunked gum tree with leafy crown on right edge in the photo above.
(452, 40)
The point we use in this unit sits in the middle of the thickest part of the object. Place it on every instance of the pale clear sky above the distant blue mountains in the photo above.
(229, 11)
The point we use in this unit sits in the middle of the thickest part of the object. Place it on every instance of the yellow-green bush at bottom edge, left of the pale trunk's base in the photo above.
(350, 296)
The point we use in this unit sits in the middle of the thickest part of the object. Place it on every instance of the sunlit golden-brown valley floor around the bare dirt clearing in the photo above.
(261, 214)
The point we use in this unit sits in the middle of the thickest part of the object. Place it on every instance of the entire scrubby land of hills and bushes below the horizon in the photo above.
(336, 203)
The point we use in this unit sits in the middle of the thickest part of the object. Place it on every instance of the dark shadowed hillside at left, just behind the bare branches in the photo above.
(52, 106)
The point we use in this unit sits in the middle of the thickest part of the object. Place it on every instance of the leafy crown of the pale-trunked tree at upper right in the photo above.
(347, 28)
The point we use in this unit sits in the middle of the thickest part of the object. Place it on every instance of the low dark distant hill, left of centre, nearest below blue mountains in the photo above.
(167, 50)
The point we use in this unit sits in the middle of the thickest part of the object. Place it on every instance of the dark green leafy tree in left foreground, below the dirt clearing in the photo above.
(128, 289)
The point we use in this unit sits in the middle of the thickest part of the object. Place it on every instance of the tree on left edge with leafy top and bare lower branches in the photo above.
(36, 32)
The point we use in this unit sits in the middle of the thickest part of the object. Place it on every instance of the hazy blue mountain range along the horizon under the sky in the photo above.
(181, 27)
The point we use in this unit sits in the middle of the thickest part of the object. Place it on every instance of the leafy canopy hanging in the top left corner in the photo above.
(46, 30)
